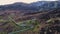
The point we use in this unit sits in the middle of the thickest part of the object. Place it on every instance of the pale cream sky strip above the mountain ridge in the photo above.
(3, 2)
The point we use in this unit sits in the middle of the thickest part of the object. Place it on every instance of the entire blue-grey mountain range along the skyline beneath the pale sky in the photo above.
(40, 5)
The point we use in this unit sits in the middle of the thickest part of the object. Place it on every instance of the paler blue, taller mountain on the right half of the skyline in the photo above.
(46, 5)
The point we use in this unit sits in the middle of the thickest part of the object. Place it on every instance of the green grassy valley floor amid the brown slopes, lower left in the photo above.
(17, 26)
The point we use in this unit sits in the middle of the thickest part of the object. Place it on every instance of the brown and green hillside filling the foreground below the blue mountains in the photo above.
(37, 23)
